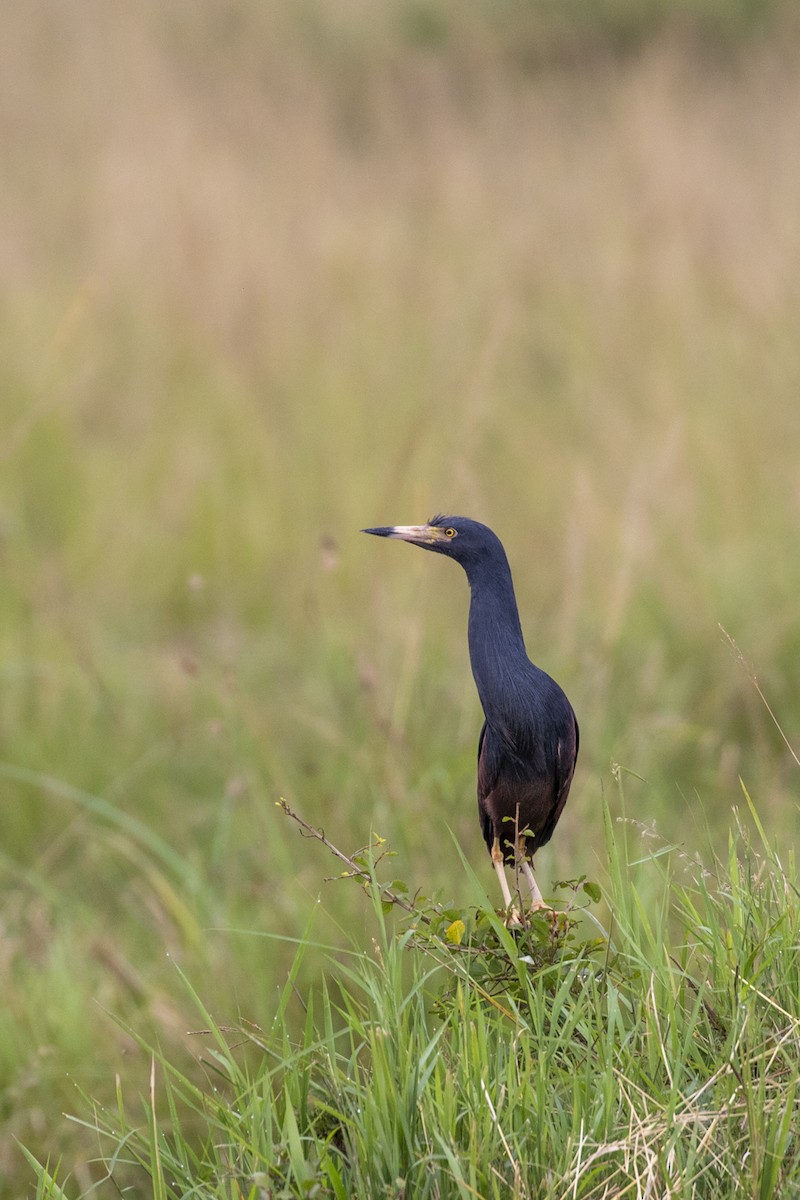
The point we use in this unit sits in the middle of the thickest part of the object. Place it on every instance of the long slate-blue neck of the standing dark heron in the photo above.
(497, 649)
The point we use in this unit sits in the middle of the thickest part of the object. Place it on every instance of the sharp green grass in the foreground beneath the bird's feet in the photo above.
(659, 1060)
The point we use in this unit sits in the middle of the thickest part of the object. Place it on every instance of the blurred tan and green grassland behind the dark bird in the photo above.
(273, 273)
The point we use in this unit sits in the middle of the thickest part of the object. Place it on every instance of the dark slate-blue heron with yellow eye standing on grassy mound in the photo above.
(528, 746)
